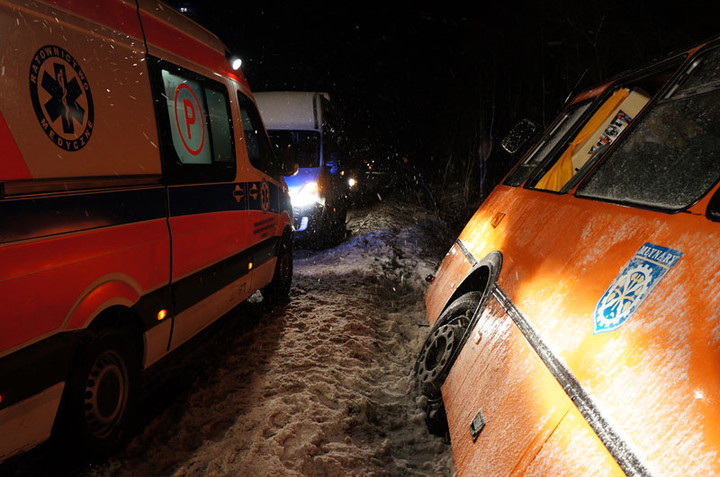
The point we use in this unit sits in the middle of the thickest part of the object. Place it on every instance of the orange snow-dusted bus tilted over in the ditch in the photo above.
(575, 322)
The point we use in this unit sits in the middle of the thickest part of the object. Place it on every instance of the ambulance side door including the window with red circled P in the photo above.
(207, 207)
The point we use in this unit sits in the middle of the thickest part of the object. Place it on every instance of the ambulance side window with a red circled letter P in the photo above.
(195, 125)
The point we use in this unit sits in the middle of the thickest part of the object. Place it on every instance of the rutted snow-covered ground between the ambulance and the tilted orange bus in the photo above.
(321, 387)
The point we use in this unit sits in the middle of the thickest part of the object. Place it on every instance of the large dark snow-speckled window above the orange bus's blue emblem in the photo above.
(670, 159)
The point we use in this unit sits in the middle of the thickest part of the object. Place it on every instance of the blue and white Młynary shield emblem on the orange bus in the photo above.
(634, 283)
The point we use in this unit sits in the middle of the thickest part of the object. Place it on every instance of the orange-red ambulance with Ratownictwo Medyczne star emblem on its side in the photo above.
(140, 201)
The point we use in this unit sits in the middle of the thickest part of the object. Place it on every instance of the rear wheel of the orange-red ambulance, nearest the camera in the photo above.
(100, 394)
